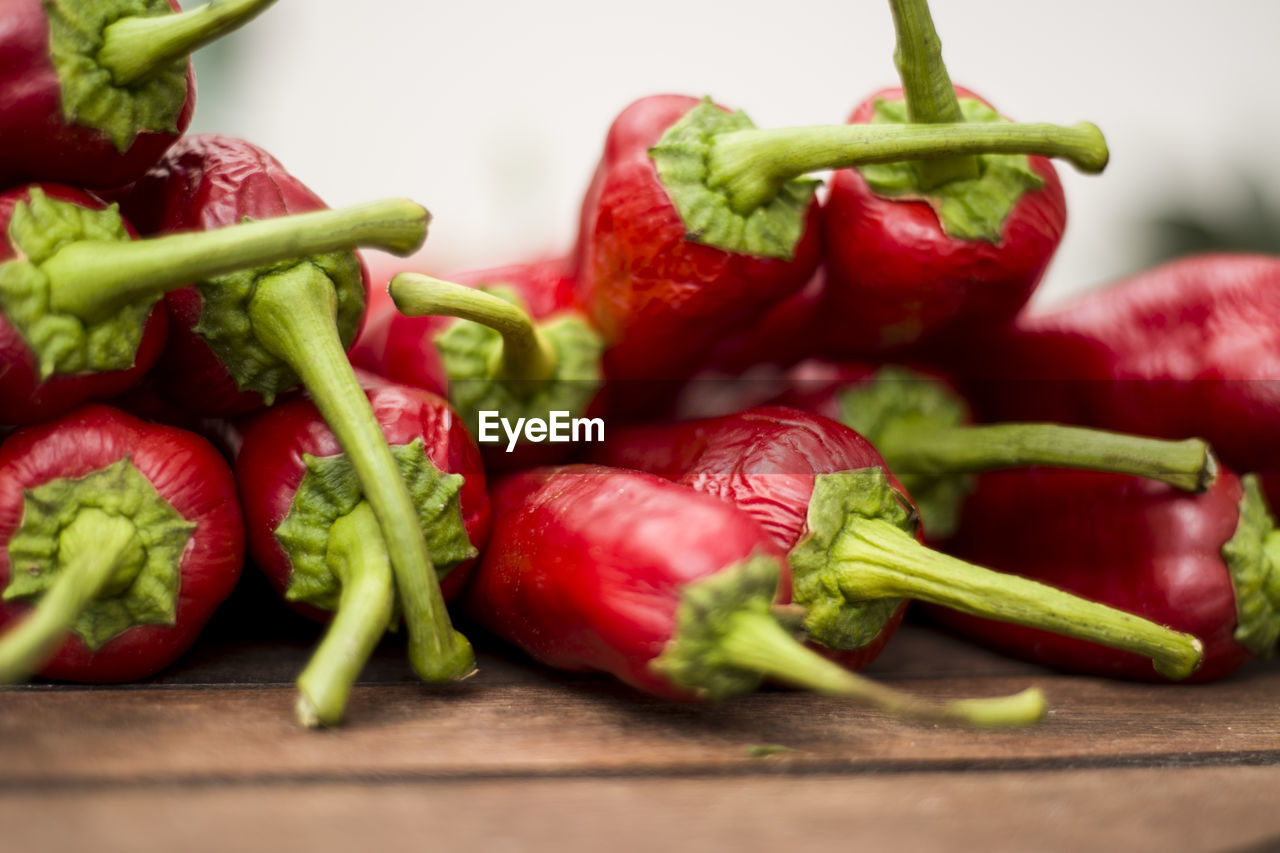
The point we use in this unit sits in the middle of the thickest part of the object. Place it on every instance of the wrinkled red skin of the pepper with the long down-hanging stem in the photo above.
(207, 183)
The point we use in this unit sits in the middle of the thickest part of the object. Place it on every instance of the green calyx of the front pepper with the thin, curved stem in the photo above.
(708, 614)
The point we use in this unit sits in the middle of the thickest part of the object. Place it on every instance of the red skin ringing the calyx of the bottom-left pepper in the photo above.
(188, 472)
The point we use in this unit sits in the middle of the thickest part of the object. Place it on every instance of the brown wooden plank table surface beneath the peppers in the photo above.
(208, 756)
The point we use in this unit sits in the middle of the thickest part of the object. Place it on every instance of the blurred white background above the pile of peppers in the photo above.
(492, 115)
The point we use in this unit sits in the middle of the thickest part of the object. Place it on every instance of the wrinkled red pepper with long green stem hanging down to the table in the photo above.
(239, 341)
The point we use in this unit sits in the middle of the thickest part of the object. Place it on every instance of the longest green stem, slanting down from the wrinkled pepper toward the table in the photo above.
(294, 317)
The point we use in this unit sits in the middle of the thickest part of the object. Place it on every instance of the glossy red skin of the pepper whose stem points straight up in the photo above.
(898, 281)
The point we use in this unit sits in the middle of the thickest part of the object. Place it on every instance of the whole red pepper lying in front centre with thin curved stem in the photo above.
(597, 569)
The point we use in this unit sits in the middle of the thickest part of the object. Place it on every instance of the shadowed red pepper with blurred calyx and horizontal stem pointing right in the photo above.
(924, 428)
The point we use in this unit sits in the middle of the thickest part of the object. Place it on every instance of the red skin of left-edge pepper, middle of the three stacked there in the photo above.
(25, 399)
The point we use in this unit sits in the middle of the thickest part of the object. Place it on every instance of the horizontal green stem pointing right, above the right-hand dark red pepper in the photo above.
(925, 450)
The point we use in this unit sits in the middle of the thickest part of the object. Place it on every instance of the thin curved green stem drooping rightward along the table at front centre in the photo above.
(758, 644)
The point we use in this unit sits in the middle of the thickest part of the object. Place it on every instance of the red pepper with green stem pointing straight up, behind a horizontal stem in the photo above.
(936, 249)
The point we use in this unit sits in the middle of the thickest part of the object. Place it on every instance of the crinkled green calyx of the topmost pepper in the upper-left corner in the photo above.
(90, 95)
